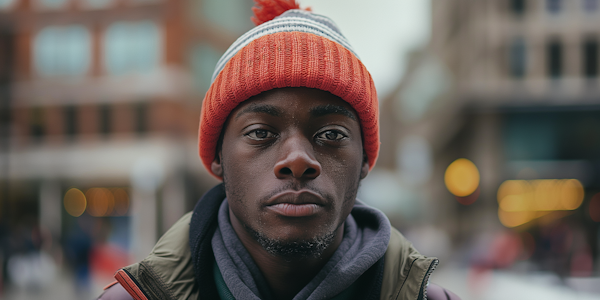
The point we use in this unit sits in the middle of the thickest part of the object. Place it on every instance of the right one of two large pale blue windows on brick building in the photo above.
(132, 47)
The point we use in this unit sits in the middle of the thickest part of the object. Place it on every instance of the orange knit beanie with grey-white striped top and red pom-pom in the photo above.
(289, 47)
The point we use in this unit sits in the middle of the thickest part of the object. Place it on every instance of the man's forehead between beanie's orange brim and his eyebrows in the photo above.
(290, 101)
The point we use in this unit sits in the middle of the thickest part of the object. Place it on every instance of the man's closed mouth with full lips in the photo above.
(302, 203)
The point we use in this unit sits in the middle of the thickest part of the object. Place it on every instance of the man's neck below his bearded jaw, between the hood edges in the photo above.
(286, 276)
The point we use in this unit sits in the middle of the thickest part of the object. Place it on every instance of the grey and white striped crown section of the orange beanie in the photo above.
(289, 21)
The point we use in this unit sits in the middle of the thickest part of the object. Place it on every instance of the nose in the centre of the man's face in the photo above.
(297, 160)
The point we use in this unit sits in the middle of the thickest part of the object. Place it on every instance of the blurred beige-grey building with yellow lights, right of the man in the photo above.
(514, 87)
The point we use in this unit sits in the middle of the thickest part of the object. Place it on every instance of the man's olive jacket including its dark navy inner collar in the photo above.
(172, 271)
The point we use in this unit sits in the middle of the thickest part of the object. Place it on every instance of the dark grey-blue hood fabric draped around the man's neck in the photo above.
(362, 246)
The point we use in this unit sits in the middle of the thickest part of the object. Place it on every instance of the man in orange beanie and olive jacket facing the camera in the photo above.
(290, 124)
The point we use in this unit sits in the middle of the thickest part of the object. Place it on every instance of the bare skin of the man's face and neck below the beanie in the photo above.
(291, 160)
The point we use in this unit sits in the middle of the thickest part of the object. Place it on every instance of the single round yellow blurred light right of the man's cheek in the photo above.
(461, 177)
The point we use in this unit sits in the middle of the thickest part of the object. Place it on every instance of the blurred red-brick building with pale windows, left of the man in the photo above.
(99, 108)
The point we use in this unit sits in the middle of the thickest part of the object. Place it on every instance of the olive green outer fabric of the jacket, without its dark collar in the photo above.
(168, 272)
